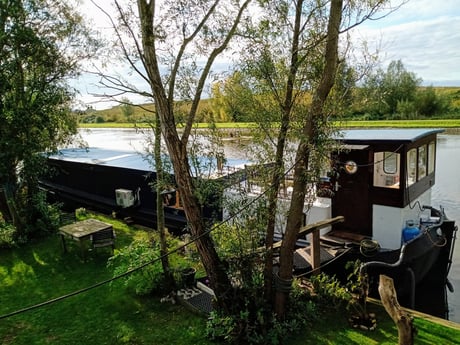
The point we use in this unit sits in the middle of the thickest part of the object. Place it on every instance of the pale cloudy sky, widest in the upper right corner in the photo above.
(423, 34)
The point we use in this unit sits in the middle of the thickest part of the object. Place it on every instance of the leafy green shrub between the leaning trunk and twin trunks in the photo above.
(250, 320)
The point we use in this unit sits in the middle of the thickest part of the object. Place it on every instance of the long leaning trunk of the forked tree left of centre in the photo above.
(177, 150)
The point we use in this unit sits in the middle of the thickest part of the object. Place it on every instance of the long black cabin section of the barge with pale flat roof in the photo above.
(122, 183)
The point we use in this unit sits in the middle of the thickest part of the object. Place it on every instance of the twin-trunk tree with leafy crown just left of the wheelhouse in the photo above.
(294, 53)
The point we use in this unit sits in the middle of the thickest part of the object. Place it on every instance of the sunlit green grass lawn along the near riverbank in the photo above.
(109, 314)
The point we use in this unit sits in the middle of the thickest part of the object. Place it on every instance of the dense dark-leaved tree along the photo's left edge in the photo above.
(41, 45)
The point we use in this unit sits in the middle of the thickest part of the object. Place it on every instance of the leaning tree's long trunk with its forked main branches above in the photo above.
(195, 20)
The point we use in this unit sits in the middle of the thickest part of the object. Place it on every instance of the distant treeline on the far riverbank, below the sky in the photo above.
(361, 104)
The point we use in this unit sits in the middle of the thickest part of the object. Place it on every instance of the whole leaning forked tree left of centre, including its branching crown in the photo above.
(174, 37)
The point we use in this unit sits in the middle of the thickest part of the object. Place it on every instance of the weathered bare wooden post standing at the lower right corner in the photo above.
(402, 319)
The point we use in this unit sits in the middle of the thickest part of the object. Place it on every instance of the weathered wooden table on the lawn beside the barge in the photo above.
(81, 231)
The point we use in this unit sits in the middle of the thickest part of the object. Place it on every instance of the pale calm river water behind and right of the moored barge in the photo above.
(445, 193)
